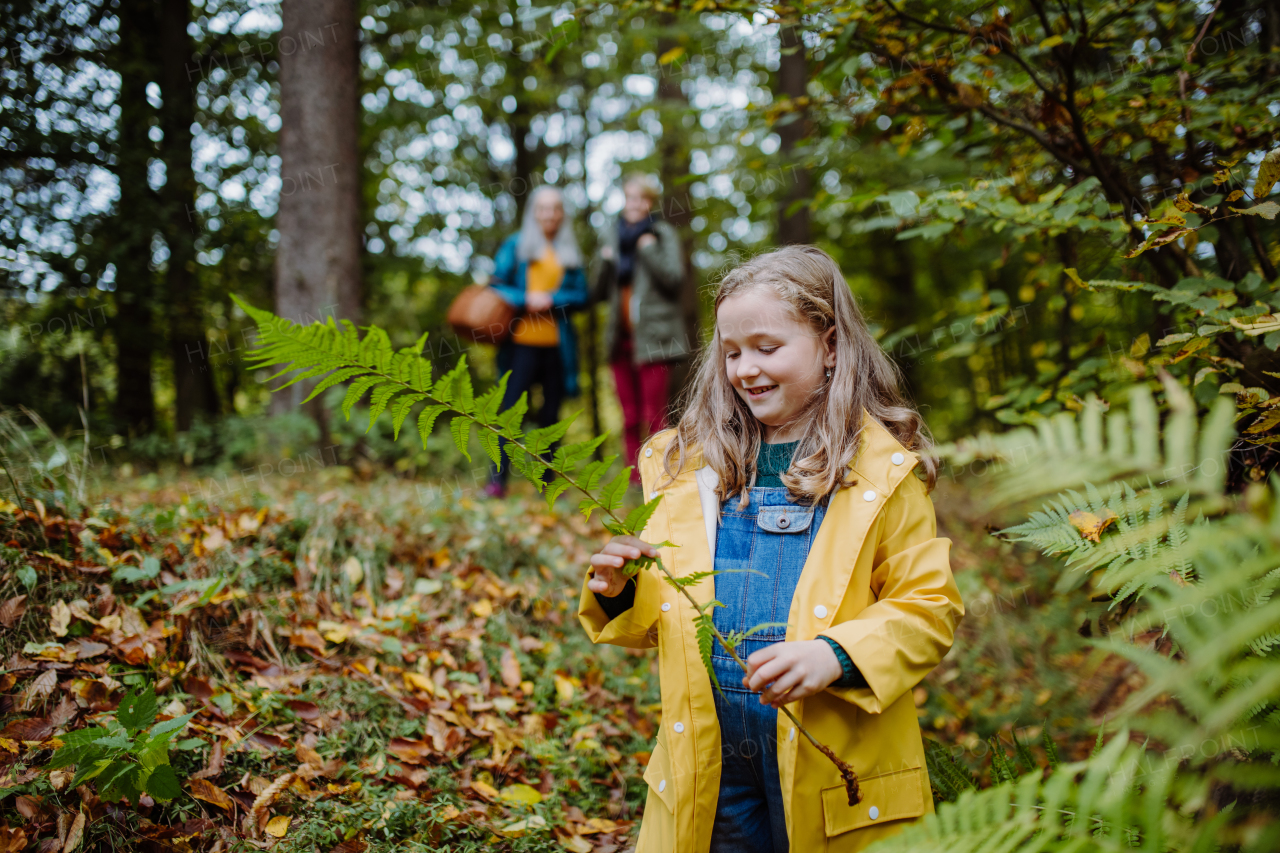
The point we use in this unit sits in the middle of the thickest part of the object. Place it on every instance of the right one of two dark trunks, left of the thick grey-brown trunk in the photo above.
(189, 348)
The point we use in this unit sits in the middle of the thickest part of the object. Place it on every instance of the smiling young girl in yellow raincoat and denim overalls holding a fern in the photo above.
(792, 471)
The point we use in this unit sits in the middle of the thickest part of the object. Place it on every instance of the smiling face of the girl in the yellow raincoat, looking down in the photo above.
(775, 362)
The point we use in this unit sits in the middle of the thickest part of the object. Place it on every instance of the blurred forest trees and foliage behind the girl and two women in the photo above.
(162, 156)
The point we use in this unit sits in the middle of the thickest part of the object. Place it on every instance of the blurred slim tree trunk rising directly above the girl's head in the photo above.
(793, 79)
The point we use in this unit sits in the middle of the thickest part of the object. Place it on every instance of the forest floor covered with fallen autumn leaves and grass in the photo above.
(386, 665)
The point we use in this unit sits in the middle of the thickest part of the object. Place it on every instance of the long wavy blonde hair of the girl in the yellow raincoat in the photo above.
(721, 426)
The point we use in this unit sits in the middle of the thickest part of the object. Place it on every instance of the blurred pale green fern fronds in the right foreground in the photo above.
(1210, 700)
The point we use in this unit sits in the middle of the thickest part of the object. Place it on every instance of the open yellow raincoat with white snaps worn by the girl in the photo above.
(877, 581)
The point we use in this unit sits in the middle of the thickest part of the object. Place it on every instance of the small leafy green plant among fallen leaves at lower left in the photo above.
(130, 756)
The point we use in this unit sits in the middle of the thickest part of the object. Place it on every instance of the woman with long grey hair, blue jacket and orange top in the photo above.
(540, 272)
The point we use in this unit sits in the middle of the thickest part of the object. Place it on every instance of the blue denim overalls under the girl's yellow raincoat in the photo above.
(771, 537)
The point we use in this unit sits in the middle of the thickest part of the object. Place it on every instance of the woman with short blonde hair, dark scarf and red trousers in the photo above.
(642, 275)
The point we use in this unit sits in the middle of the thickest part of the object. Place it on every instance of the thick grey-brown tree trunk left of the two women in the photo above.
(318, 261)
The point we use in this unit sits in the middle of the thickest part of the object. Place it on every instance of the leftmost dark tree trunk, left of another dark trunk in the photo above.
(135, 225)
